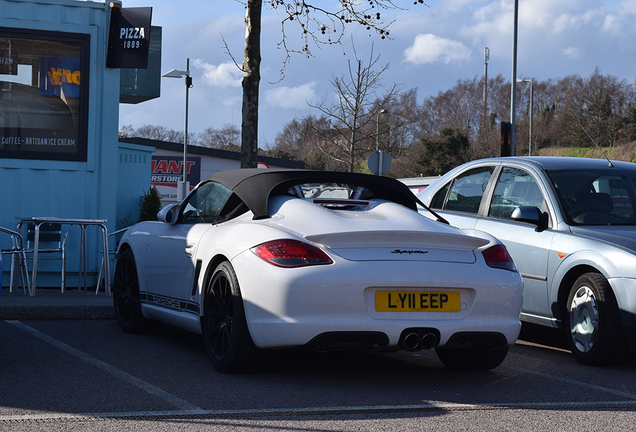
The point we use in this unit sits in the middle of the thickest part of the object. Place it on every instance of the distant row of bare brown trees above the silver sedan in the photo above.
(604, 105)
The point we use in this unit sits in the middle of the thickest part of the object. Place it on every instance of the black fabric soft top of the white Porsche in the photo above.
(254, 186)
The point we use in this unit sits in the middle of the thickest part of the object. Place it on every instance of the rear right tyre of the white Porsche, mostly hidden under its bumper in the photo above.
(475, 358)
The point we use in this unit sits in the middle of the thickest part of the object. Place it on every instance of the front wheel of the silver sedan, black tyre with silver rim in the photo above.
(592, 318)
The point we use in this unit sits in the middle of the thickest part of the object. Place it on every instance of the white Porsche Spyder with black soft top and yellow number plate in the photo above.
(257, 260)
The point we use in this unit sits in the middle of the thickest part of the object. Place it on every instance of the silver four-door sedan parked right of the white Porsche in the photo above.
(570, 226)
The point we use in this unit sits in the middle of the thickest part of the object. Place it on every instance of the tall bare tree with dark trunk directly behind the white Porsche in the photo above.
(318, 26)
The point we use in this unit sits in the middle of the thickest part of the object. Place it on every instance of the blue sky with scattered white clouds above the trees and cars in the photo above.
(431, 47)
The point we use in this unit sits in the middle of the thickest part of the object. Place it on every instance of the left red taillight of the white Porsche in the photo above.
(291, 253)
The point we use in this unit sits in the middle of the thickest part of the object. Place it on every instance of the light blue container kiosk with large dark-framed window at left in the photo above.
(58, 119)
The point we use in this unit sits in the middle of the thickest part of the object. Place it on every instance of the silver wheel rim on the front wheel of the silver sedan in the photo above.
(584, 319)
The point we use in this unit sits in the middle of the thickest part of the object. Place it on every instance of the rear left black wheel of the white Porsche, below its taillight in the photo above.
(224, 326)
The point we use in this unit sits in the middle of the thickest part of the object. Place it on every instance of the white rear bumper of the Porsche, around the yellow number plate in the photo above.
(292, 307)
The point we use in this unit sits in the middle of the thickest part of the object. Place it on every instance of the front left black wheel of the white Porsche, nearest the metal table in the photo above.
(126, 298)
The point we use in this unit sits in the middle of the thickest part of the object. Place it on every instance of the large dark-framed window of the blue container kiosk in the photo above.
(43, 94)
